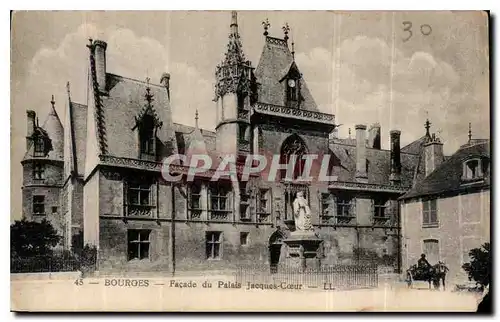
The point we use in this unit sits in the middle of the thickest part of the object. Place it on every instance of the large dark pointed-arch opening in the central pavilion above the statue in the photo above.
(293, 148)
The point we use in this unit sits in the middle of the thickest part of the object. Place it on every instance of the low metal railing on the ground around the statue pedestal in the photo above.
(325, 277)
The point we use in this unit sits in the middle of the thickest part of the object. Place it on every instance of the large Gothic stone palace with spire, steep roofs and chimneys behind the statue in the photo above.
(100, 173)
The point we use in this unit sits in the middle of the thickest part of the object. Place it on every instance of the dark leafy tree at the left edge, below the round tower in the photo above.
(30, 238)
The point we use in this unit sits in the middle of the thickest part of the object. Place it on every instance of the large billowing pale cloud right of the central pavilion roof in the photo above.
(354, 82)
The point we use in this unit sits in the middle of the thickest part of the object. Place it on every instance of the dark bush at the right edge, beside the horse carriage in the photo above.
(479, 267)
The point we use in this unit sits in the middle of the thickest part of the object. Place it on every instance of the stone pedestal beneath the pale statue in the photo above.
(303, 250)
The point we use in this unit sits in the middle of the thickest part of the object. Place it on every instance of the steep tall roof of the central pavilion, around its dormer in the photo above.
(275, 61)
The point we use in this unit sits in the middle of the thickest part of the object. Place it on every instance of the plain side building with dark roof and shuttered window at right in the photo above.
(447, 214)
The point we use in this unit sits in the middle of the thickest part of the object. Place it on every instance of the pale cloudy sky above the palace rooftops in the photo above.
(394, 68)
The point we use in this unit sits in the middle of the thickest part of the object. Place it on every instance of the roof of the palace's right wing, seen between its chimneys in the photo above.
(378, 165)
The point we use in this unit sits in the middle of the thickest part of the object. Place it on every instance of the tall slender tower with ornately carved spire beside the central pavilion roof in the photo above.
(235, 92)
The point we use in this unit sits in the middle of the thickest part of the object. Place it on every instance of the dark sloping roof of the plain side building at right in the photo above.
(447, 177)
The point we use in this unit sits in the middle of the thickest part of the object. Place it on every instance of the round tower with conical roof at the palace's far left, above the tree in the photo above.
(43, 166)
